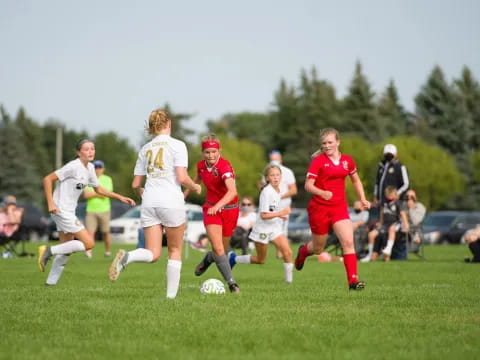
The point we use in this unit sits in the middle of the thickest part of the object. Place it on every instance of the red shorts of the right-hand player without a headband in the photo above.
(322, 217)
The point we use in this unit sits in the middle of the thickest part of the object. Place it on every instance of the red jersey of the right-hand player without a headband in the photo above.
(331, 177)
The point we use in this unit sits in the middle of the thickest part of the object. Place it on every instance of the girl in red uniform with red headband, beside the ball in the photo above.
(220, 211)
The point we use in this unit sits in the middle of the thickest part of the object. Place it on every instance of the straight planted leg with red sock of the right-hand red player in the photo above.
(344, 231)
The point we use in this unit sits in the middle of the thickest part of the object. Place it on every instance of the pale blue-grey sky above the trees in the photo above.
(104, 65)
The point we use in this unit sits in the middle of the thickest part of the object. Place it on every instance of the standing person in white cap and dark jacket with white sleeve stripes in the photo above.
(391, 172)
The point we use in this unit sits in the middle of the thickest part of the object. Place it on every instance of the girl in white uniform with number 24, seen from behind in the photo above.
(163, 162)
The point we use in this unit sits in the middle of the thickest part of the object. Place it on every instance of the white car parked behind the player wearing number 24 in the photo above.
(124, 229)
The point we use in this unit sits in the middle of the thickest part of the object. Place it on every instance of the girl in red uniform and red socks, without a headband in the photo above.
(328, 207)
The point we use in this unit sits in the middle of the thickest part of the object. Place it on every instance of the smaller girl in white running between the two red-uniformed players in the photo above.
(269, 225)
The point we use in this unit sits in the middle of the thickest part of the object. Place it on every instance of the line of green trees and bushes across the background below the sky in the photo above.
(439, 141)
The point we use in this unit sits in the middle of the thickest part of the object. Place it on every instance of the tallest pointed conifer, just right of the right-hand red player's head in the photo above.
(359, 111)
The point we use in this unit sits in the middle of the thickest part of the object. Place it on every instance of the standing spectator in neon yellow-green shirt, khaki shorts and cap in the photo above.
(99, 208)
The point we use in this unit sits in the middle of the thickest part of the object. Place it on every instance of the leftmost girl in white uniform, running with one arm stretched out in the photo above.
(72, 178)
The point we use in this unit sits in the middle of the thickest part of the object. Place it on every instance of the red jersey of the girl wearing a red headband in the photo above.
(214, 179)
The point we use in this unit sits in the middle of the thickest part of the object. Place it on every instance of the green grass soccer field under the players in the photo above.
(409, 310)
